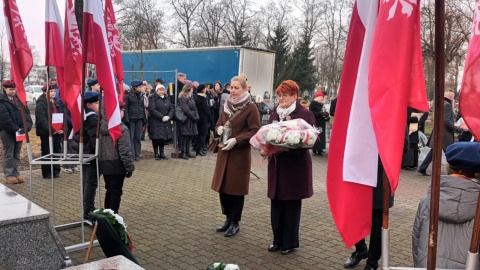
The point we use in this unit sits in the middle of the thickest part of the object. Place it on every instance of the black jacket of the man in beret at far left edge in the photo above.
(10, 115)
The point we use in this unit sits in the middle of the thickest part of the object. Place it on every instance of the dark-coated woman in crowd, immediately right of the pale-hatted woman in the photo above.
(188, 129)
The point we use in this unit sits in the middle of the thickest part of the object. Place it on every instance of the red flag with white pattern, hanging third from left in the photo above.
(73, 60)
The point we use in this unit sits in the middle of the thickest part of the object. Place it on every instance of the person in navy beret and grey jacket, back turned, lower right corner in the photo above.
(459, 192)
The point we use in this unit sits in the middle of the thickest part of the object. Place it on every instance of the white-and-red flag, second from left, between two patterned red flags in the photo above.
(54, 43)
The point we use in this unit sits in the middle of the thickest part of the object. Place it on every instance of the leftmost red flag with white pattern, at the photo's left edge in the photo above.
(21, 60)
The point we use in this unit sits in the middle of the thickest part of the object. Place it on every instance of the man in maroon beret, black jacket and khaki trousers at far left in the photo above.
(11, 124)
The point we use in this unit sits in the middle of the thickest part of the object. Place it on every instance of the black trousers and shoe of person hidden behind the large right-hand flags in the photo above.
(375, 249)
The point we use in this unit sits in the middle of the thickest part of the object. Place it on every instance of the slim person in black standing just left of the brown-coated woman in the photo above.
(205, 118)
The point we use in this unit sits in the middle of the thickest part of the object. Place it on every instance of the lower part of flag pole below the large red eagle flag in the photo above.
(385, 217)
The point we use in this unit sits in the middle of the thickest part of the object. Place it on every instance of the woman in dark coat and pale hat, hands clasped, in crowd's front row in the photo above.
(160, 125)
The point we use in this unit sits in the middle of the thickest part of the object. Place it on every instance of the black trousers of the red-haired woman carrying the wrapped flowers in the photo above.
(285, 219)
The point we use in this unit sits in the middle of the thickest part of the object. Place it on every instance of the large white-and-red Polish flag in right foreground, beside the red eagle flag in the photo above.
(352, 155)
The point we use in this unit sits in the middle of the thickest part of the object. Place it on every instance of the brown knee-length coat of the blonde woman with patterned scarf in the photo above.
(232, 171)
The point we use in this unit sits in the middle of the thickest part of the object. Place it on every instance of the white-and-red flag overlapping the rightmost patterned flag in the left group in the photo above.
(97, 51)
